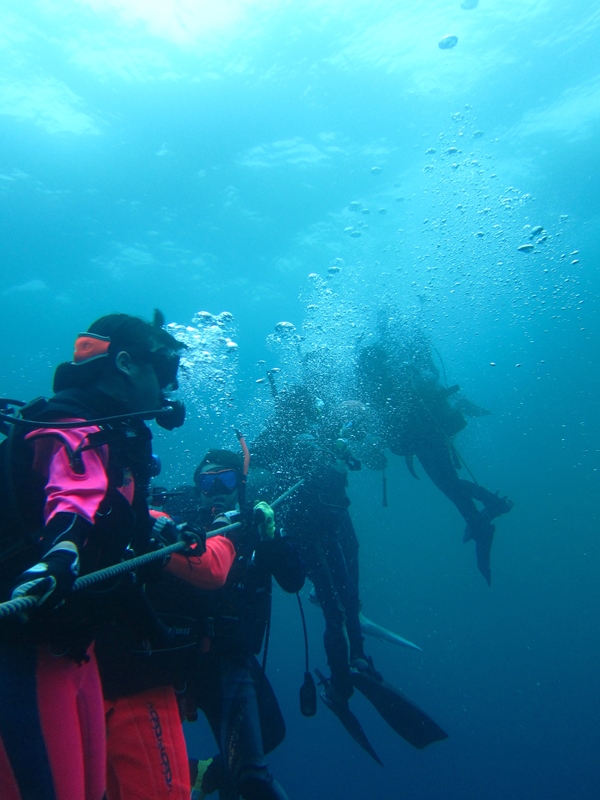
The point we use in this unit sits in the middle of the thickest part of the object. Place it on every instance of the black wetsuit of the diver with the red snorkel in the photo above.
(228, 681)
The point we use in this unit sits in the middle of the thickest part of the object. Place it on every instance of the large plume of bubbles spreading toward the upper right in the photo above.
(467, 246)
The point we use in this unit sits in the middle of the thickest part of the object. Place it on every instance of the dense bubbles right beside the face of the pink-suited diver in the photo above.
(209, 364)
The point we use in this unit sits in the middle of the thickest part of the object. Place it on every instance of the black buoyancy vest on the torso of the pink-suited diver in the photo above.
(120, 526)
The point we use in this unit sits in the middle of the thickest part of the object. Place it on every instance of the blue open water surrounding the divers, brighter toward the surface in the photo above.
(321, 163)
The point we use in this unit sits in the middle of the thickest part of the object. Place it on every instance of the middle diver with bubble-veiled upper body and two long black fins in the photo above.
(302, 441)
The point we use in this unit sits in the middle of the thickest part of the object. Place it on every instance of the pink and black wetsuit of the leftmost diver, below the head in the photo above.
(39, 676)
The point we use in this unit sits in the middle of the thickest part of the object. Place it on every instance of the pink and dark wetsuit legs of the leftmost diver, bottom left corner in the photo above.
(52, 735)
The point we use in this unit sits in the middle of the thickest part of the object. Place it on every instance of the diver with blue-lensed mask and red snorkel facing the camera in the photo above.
(229, 685)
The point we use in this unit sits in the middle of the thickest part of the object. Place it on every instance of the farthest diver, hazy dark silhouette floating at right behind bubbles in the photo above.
(420, 417)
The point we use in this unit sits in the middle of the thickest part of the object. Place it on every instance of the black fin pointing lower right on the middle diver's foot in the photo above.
(400, 713)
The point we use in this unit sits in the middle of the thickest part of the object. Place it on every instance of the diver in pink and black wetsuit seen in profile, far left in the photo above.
(75, 474)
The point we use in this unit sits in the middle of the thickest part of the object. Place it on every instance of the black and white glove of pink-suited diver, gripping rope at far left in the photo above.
(51, 580)
